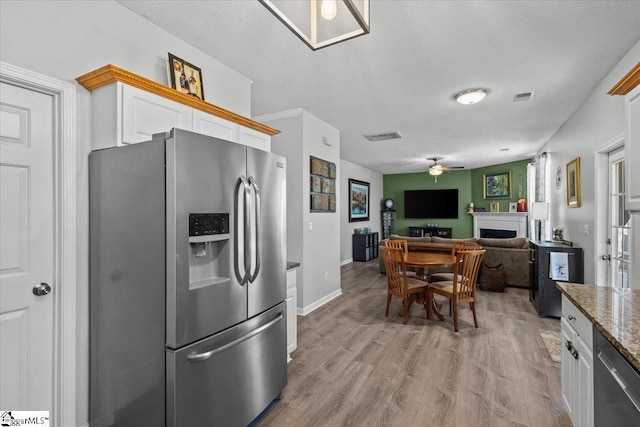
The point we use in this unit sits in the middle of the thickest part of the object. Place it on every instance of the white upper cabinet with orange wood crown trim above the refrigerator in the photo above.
(127, 108)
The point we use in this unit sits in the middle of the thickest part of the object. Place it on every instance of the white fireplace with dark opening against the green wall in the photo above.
(499, 225)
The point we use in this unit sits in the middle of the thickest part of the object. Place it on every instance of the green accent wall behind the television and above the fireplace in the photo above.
(470, 189)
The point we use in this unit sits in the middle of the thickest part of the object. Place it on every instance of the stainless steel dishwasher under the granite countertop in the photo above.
(616, 386)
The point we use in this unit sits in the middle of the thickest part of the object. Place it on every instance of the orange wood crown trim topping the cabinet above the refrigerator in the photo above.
(111, 74)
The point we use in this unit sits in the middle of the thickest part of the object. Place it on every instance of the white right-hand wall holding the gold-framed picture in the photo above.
(598, 122)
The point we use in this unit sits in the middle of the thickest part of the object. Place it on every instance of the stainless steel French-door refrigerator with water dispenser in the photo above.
(187, 282)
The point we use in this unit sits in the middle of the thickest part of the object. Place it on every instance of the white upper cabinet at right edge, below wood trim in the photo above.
(632, 147)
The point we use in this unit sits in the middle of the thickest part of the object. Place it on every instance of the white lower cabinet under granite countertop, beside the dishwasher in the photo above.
(577, 364)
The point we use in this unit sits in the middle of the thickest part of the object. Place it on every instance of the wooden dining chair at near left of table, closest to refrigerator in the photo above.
(399, 284)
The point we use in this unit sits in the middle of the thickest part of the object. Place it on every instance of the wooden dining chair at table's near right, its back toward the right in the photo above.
(462, 289)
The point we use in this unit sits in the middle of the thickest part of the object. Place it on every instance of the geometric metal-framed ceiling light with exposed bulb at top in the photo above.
(321, 23)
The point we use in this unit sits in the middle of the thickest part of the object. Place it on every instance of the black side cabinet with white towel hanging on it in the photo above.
(543, 292)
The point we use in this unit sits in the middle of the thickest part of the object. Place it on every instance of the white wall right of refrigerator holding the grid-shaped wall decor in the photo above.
(312, 238)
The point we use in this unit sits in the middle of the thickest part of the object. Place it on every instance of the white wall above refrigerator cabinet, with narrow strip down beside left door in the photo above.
(64, 40)
